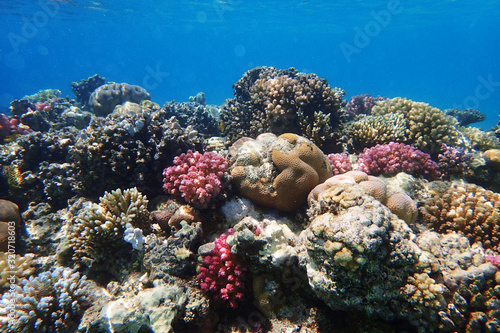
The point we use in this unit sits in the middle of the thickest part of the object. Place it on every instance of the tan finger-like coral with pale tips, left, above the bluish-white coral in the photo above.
(99, 229)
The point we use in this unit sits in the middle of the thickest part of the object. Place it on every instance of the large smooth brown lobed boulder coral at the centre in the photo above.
(279, 171)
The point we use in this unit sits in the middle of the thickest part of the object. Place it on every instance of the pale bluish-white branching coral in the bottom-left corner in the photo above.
(53, 301)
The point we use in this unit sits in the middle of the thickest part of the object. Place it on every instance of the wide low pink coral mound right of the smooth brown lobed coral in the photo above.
(395, 157)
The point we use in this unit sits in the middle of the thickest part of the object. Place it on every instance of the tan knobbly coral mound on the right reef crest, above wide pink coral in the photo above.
(426, 127)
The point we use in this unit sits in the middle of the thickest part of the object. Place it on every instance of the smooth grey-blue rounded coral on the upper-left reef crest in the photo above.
(104, 99)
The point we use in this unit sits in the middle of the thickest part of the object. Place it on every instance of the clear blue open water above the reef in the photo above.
(445, 53)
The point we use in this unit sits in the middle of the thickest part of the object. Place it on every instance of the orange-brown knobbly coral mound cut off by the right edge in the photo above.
(466, 208)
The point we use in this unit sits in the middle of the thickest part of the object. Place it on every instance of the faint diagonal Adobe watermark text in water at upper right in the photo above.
(372, 29)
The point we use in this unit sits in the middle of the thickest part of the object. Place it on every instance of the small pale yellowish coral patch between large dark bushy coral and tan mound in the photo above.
(371, 130)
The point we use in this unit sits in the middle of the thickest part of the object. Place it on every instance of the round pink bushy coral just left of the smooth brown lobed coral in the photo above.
(196, 177)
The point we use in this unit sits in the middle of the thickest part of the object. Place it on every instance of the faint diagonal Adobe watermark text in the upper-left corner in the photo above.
(31, 26)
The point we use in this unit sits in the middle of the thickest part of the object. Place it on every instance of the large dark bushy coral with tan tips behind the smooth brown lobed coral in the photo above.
(277, 101)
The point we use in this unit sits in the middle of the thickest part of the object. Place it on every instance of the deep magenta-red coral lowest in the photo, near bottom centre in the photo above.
(222, 273)
